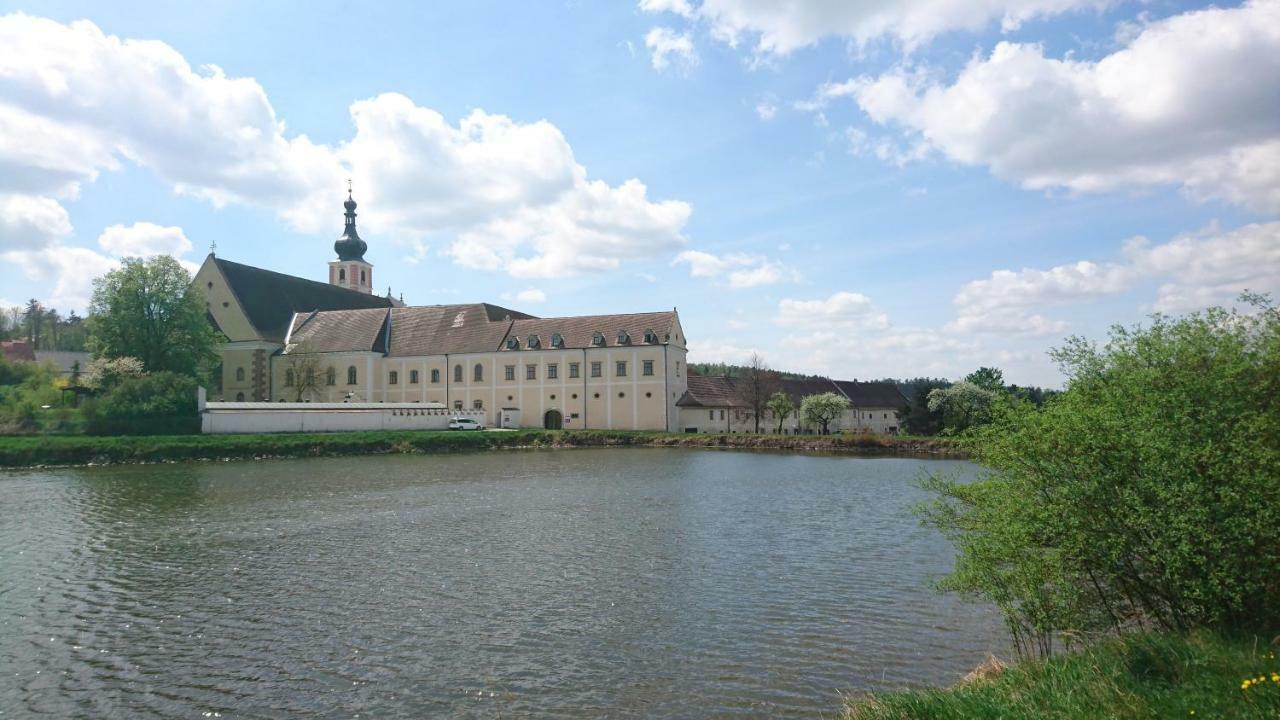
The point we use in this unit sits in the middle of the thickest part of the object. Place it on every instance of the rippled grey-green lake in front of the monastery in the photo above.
(574, 584)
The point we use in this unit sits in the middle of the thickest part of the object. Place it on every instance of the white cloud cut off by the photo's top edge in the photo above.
(780, 29)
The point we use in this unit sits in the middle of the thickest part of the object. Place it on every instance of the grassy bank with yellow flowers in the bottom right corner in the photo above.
(1148, 676)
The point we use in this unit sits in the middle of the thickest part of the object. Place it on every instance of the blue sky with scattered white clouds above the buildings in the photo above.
(861, 190)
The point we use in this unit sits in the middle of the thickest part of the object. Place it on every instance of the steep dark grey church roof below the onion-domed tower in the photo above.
(272, 299)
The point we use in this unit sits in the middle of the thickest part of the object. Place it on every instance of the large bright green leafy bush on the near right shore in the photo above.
(1146, 495)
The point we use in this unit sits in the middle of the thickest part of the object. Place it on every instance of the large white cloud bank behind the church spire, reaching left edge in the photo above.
(506, 195)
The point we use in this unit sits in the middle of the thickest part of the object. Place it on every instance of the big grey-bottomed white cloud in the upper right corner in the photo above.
(1192, 101)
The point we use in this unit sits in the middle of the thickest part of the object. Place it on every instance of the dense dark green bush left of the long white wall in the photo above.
(154, 404)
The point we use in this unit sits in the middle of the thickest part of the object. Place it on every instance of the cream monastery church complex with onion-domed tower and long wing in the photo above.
(295, 340)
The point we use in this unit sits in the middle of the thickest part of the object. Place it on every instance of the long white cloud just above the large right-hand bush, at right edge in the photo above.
(1196, 271)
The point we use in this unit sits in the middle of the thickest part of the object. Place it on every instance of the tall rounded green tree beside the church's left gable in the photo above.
(148, 309)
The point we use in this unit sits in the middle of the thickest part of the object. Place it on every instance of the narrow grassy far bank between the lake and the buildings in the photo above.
(29, 452)
